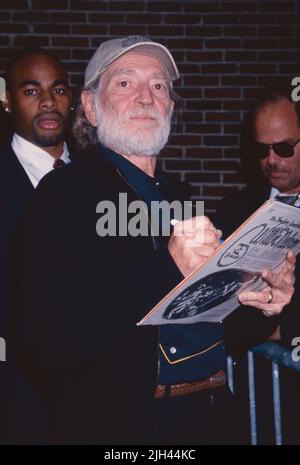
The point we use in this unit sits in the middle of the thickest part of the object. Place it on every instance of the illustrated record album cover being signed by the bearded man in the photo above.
(210, 293)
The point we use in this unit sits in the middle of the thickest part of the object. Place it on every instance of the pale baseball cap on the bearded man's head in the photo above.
(111, 50)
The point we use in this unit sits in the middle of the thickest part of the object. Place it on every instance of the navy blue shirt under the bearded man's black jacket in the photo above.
(186, 352)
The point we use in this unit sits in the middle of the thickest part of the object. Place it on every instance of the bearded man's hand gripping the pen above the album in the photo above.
(192, 242)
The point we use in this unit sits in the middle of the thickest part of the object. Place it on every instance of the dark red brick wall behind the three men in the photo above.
(224, 50)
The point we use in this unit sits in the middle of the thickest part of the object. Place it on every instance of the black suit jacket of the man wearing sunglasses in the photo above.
(249, 329)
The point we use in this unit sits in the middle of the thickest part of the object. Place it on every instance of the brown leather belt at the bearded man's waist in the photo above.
(214, 381)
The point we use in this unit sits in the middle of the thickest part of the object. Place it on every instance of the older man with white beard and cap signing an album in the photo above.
(105, 379)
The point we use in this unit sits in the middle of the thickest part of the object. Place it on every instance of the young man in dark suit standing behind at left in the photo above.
(38, 100)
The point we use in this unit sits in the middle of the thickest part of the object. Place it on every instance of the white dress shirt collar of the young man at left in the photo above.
(35, 160)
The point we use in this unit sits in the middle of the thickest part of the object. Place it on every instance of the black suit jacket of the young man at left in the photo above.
(21, 411)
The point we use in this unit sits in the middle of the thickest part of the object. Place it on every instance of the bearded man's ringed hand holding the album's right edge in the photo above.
(280, 288)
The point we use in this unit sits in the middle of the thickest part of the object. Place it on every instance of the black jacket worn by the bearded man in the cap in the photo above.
(79, 299)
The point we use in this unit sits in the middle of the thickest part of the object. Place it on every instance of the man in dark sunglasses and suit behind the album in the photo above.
(275, 149)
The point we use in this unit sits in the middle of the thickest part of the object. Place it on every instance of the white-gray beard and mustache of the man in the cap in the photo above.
(112, 134)
